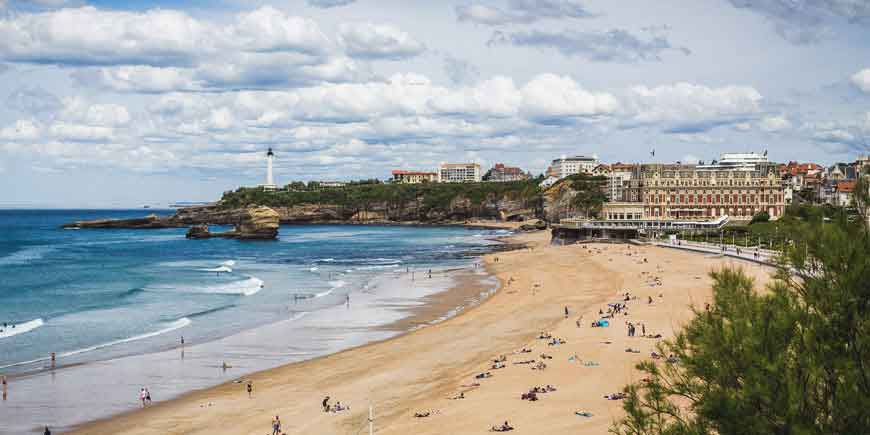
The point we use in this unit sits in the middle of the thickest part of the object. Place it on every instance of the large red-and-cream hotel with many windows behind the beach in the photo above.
(738, 186)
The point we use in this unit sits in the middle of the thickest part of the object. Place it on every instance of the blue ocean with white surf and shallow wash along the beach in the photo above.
(113, 305)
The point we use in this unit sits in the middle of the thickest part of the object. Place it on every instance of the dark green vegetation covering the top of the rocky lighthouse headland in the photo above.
(429, 196)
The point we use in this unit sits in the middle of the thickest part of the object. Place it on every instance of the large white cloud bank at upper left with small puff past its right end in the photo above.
(161, 50)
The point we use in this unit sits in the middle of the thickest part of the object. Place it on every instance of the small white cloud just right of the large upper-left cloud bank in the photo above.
(378, 41)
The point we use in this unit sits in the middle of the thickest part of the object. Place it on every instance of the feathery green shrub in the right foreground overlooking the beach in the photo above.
(794, 359)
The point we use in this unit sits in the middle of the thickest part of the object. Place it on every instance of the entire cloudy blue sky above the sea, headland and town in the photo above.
(129, 103)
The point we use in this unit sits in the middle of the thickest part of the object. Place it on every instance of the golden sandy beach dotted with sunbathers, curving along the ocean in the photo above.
(423, 371)
